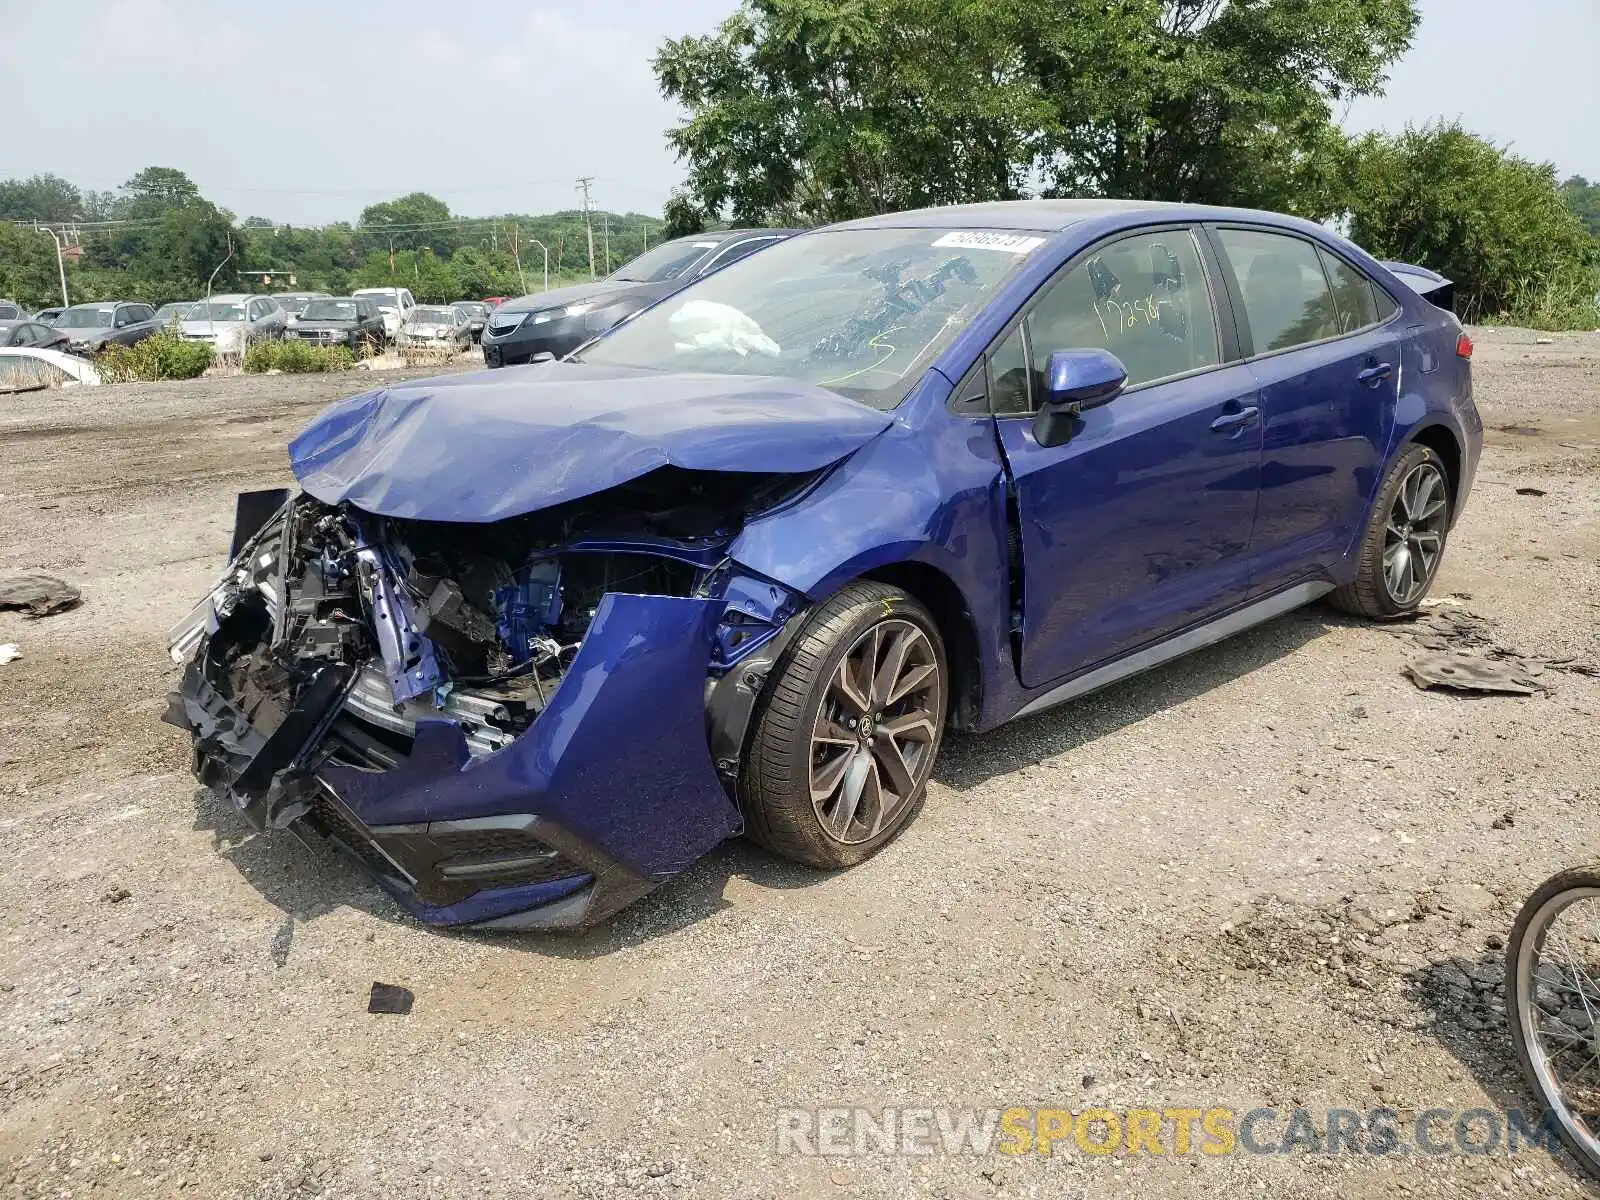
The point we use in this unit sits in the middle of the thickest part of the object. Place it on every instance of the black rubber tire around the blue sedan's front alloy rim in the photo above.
(777, 777)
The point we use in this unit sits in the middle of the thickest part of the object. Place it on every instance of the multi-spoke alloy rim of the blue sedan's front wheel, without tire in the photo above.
(876, 732)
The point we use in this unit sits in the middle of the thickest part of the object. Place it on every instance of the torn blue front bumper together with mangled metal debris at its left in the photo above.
(356, 737)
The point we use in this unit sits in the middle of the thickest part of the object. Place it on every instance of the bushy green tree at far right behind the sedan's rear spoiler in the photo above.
(1492, 222)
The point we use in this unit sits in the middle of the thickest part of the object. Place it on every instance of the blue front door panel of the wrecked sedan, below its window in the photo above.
(1140, 524)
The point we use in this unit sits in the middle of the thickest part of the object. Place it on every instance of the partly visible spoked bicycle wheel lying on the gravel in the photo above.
(1553, 1006)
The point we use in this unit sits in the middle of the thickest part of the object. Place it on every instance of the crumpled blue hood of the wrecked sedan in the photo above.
(490, 446)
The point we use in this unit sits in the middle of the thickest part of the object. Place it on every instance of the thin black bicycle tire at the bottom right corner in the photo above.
(1524, 951)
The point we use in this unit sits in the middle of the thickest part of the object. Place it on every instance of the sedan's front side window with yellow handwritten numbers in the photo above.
(1145, 298)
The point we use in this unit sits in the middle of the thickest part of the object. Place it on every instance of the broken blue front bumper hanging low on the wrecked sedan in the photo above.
(610, 790)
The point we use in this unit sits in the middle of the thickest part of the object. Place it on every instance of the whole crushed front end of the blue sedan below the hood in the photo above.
(524, 724)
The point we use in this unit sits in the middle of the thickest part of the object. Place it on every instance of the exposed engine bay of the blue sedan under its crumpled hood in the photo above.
(468, 623)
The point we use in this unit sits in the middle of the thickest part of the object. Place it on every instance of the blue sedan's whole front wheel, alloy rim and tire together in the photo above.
(841, 756)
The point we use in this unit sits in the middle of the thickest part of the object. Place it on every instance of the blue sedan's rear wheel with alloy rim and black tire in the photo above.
(1404, 542)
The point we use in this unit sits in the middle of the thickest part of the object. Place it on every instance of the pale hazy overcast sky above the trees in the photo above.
(305, 113)
